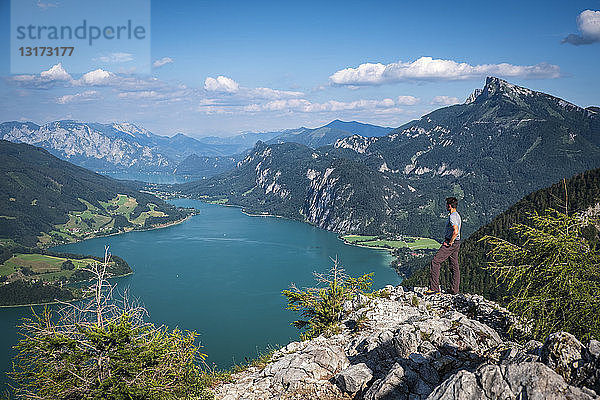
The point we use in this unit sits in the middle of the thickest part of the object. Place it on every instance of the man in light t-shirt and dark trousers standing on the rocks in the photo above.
(449, 249)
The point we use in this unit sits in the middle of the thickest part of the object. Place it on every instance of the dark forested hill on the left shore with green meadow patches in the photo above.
(47, 200)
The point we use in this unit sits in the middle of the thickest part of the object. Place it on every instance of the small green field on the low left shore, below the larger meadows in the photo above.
(44, 267)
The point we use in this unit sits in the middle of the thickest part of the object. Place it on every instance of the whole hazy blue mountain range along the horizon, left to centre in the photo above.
(127, 147)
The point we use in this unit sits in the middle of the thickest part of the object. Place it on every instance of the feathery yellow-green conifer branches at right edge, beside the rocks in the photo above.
(553, 275)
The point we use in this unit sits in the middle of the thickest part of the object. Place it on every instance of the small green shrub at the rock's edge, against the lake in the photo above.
(322, 308)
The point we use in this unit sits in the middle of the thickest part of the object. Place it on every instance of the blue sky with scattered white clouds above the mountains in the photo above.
(220, 68)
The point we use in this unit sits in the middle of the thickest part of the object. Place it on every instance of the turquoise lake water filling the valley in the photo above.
(221, 273)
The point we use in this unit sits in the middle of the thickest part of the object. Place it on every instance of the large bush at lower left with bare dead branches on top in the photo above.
(105, 351)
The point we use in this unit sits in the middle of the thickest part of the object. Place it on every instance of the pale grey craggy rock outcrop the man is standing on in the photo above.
(407, 346)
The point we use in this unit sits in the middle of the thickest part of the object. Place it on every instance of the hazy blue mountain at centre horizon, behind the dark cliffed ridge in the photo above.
(329, 134)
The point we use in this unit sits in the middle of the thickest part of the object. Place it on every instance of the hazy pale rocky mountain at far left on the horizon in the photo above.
(108, 147)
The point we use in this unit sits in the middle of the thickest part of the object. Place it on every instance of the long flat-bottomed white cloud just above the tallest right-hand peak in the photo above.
(430, 69)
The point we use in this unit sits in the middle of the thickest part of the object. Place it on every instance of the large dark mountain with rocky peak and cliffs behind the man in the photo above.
(504, 142)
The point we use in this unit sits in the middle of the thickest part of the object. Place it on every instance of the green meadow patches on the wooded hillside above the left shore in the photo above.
(101, 220)
